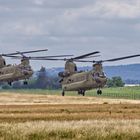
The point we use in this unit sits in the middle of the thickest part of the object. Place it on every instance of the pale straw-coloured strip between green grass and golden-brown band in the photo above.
(18, 98)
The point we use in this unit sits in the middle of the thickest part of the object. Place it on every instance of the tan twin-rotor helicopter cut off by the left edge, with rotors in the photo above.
(22, 71)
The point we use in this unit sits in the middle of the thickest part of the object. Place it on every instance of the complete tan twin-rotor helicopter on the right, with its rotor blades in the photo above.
(80, 81)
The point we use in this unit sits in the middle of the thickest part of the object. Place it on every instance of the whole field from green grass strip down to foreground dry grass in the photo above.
(46, 115)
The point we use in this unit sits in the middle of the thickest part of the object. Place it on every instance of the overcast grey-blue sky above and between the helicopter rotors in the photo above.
(71, 27)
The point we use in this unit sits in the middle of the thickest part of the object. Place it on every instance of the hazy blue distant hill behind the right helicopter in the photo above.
(129, 73)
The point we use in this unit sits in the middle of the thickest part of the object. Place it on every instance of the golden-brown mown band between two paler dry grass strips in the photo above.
(16, 113)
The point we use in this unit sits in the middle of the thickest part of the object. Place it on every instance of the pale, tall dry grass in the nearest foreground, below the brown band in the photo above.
(79, 130)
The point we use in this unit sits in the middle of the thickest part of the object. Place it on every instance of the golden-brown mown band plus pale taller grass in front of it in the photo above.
(71, 121)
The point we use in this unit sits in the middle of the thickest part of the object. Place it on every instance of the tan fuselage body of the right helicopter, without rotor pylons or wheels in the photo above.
(83, 81)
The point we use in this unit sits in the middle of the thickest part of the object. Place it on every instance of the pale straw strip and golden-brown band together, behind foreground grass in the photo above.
(24, 107)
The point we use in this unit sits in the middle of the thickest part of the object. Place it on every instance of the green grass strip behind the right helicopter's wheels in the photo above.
(122, 92)
